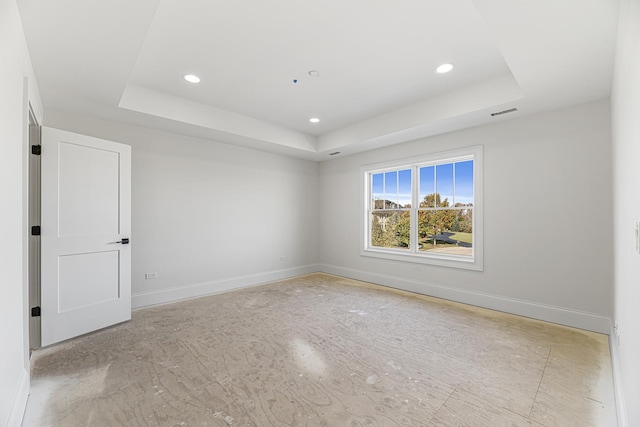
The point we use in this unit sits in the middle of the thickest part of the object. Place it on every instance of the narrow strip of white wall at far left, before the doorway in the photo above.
(15, 66)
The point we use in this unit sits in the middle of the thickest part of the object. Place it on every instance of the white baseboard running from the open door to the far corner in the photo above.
(177, 293)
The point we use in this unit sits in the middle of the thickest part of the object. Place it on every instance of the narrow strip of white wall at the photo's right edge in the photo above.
(626, 157)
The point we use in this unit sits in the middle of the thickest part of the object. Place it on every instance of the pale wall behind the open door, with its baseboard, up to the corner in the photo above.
(208, 216)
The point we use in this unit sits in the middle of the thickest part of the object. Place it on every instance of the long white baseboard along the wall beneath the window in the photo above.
(548, 313)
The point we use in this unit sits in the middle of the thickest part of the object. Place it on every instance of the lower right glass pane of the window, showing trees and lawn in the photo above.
(446, 231)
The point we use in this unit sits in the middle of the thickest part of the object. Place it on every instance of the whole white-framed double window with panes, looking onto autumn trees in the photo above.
(426, 209)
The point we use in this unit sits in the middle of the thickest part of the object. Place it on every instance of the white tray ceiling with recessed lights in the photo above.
(124, 60)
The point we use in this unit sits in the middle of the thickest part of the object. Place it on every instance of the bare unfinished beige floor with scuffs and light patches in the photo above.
(320, 350)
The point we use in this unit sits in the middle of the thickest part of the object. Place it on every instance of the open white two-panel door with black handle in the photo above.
(86, 224)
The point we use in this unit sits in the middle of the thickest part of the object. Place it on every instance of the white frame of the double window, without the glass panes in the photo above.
(473, 262)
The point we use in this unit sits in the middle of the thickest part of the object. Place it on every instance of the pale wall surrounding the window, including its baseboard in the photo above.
(547, 218)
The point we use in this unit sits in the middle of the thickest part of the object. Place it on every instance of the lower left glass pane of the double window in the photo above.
(390, 229)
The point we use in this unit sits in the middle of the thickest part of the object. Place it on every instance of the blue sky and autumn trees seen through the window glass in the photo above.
(442, 202)
